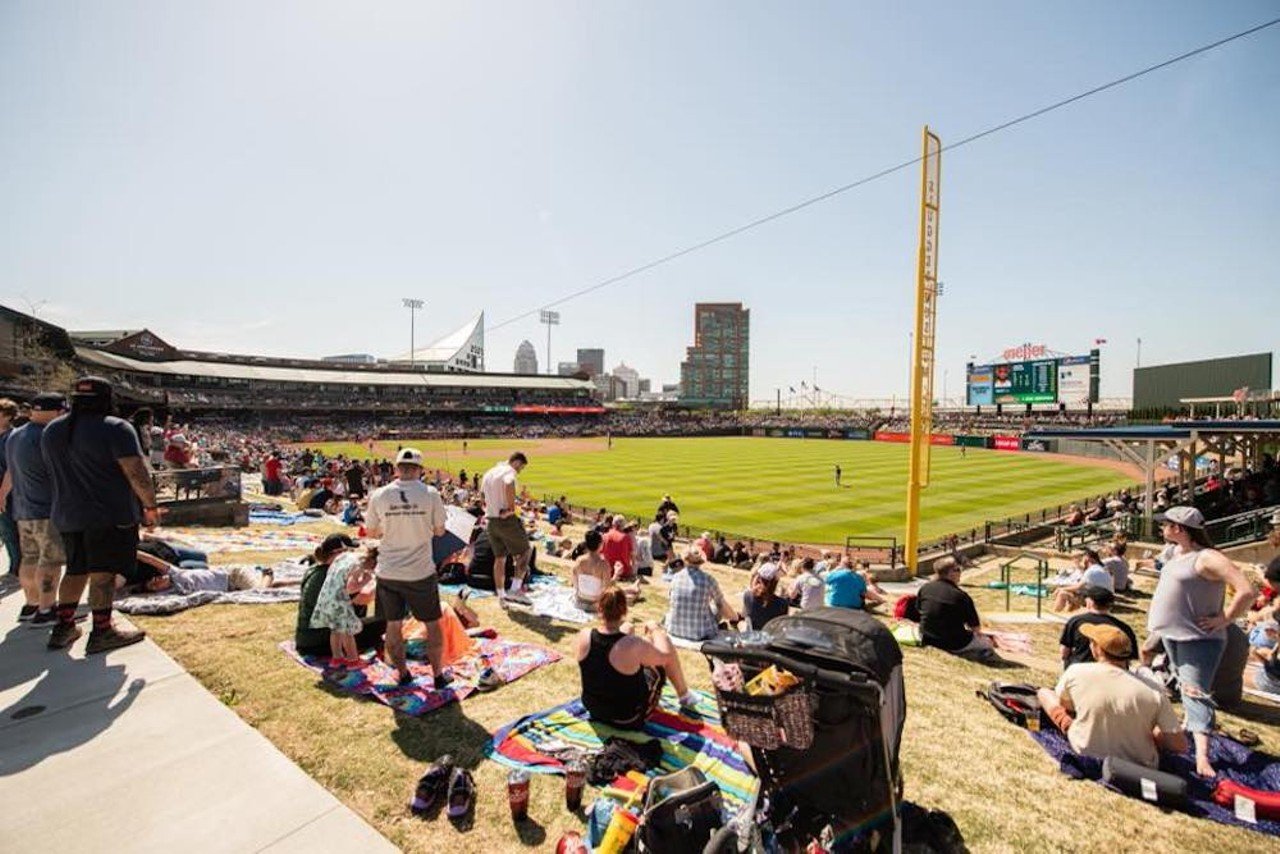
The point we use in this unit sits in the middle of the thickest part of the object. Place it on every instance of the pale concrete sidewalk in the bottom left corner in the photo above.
(126, 752)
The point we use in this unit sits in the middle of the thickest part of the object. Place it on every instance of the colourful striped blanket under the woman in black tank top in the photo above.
(687, 741)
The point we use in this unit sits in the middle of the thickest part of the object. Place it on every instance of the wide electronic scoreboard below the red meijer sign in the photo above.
(1068, 380)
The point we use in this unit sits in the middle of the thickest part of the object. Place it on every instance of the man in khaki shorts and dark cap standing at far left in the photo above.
(26, 479)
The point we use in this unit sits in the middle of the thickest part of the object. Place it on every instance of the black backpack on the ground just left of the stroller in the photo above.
(682, 814)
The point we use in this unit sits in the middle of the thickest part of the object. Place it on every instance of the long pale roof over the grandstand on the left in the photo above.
(336, 377)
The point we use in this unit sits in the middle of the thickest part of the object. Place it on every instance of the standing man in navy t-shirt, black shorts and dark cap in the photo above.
(102, 492)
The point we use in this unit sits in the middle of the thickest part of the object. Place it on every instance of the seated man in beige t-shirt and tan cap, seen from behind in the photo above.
(1105, 711)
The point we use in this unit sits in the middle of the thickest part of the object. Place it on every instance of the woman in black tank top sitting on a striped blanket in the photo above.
(618, 698)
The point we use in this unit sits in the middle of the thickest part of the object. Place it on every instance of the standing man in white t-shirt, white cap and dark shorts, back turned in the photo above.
(406, 515)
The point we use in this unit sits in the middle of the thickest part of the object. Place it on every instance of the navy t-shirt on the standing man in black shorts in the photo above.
(90, 488)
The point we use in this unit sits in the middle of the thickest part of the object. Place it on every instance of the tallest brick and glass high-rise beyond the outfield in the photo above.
(715, 372)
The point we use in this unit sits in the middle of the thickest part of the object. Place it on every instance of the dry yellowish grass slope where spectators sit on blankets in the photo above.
(958, 755)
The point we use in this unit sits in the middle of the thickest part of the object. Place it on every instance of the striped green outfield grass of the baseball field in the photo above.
(780, 488)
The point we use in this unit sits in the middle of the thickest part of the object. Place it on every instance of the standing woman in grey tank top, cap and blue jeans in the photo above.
(1188, 614)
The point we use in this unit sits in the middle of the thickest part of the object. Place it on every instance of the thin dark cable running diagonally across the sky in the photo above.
(883, 173)
